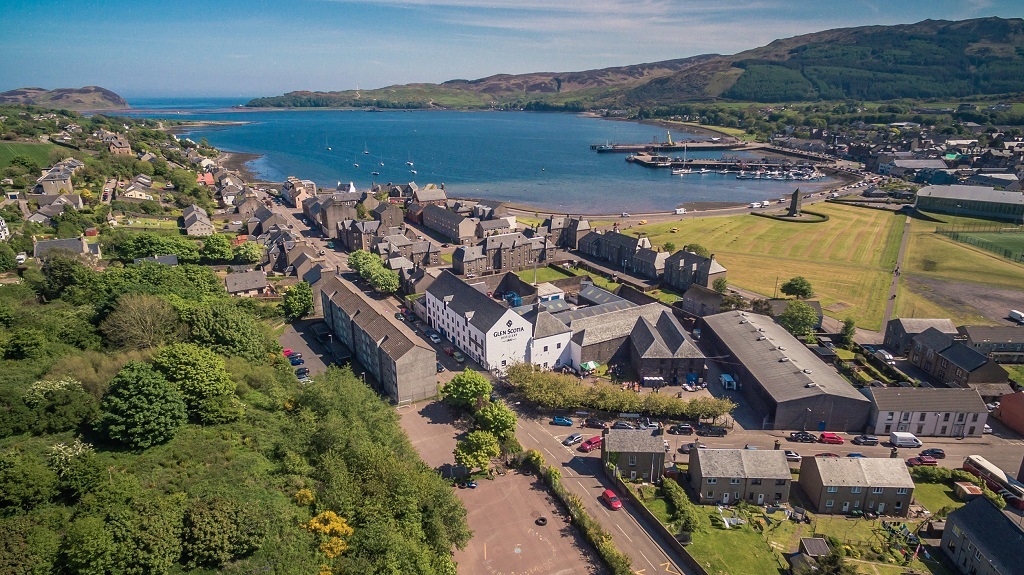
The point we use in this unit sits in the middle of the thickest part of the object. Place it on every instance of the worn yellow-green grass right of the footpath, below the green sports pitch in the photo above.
(937, 257)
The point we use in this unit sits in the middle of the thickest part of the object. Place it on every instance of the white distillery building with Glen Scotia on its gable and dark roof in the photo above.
(493, 335)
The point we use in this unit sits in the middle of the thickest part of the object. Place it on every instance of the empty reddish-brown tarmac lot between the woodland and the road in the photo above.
(503, 512)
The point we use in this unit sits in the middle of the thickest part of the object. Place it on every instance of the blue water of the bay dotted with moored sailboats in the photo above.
(541, 160)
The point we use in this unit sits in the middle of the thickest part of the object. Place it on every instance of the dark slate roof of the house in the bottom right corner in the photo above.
(998, 538)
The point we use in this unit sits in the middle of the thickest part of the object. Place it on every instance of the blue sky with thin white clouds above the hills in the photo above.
(268, 48)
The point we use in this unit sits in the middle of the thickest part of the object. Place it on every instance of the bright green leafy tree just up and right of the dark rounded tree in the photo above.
(199, 374)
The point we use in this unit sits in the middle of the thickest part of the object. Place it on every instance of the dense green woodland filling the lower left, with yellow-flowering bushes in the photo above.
(150, 425)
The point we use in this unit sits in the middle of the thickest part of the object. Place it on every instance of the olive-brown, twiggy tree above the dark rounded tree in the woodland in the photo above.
(142, 322)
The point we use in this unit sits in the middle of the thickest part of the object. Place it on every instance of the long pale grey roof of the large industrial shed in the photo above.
(760, 344)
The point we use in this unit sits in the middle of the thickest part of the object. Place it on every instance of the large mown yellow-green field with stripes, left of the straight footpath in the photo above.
(848, 259)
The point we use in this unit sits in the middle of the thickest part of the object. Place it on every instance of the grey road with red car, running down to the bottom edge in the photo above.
(582, 475)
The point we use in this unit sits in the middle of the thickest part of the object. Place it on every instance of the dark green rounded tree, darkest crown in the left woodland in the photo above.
(141, 409)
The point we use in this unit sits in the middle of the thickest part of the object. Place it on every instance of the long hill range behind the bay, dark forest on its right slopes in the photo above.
(928, 60)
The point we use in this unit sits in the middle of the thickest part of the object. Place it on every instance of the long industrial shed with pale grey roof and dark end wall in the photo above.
(782, 380)
